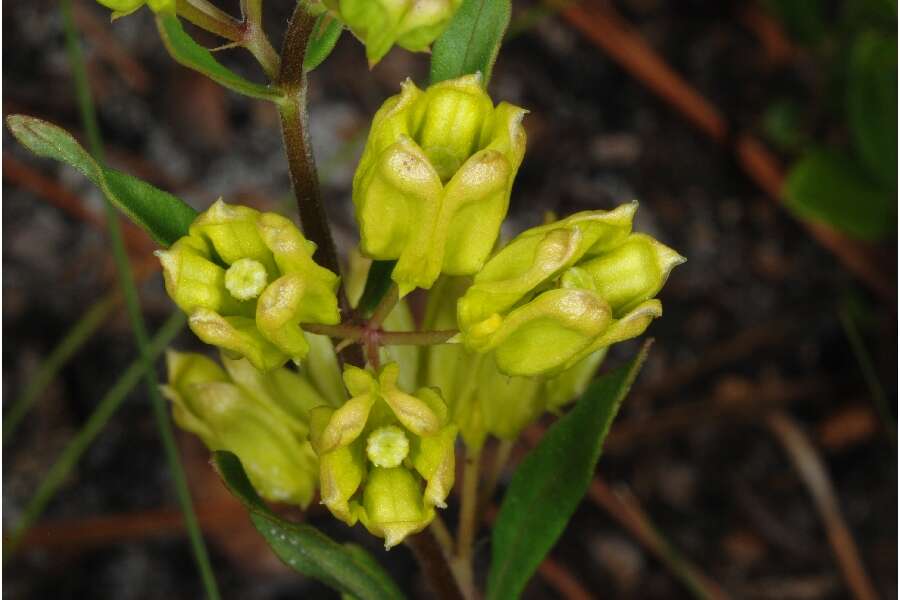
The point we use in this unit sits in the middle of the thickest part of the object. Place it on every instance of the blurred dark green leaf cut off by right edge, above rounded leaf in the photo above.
(872, 104)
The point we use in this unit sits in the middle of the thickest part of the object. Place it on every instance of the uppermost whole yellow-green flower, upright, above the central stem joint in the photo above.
(433, 184)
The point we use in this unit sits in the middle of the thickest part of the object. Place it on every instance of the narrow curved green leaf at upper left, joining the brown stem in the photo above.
(192, 55)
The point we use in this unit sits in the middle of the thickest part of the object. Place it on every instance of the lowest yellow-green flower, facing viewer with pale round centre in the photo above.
(386, 457)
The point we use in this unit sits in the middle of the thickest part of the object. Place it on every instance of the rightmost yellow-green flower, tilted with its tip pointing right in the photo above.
(560, 292)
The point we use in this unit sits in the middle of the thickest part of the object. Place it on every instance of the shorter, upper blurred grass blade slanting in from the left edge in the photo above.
(81, 332)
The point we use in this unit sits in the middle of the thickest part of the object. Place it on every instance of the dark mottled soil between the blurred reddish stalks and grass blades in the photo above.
(717, 484)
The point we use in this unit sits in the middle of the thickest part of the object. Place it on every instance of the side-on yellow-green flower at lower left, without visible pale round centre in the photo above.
(263, 418)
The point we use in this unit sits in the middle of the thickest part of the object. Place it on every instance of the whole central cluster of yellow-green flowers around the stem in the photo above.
(534, 318)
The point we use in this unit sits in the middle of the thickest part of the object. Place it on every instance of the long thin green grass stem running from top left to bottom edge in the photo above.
(129, 292)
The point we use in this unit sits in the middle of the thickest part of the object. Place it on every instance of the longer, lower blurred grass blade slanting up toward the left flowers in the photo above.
(104, 410)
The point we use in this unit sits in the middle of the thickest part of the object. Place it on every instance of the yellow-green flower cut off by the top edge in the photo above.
(379, 24)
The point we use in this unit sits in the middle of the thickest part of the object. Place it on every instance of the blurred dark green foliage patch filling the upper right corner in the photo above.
(843, 133)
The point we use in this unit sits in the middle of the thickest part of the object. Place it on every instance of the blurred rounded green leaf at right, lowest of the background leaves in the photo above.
(830, 187)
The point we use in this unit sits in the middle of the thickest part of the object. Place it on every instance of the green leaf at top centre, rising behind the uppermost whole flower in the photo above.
(472, 40)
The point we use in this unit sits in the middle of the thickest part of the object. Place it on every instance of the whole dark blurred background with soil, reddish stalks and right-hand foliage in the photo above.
(756, 456)
